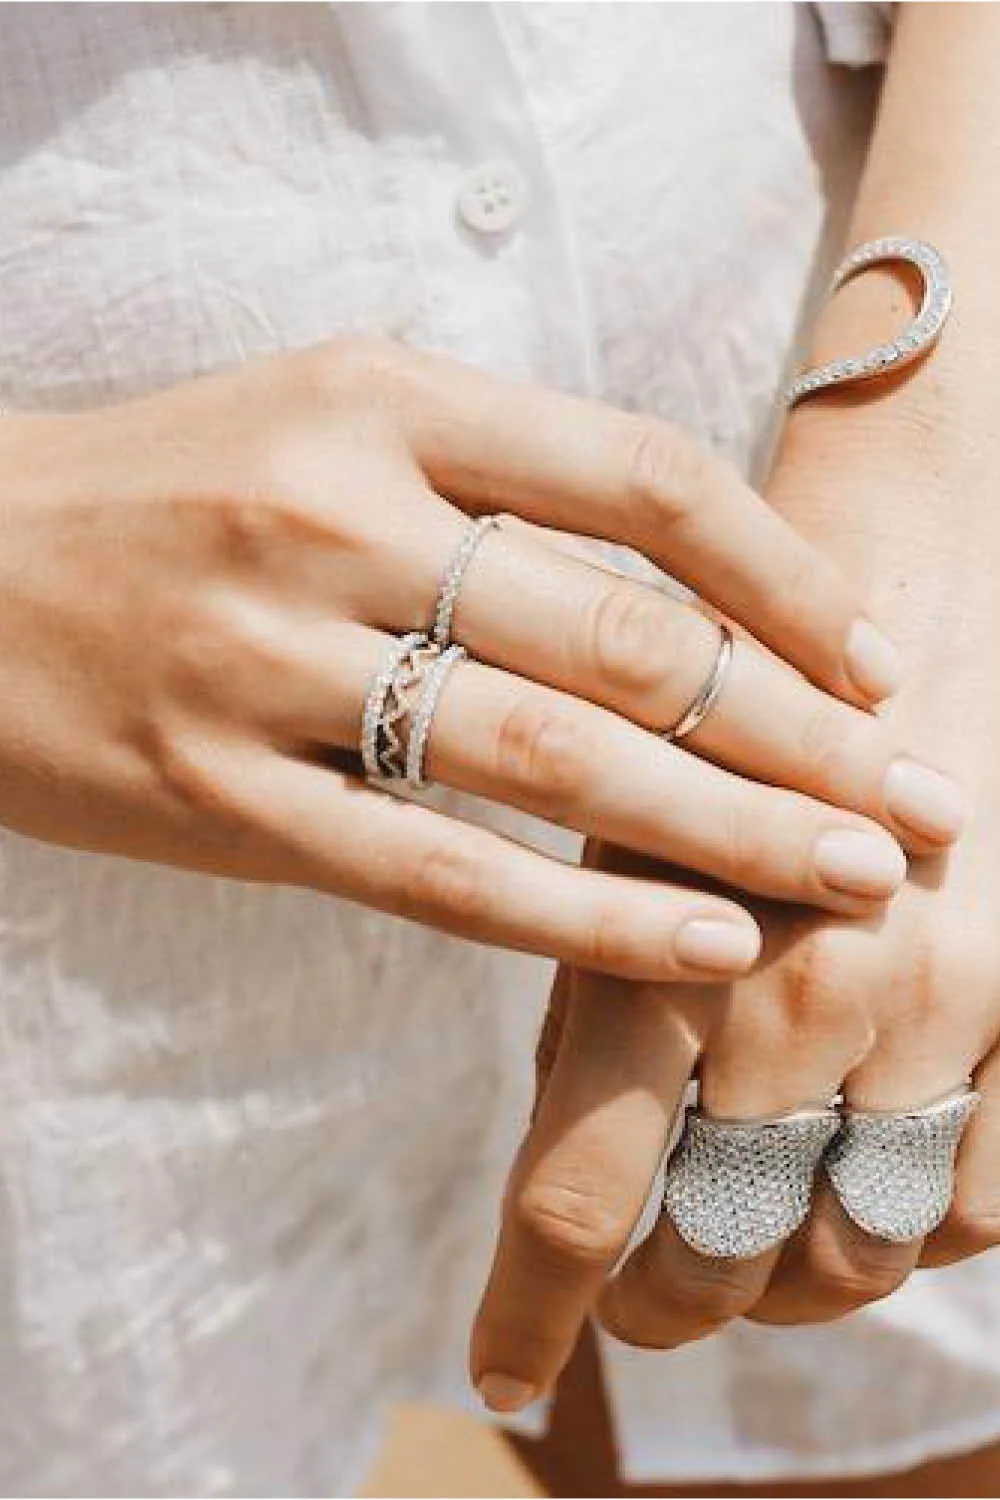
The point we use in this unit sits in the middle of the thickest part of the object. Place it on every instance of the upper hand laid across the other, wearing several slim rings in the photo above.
(196, 589)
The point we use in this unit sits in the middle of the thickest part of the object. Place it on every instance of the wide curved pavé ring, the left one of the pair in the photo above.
(737, 1189)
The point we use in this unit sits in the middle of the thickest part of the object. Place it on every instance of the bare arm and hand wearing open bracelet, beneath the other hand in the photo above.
(899, 485)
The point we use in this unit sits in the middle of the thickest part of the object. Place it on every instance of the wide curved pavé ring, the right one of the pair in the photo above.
(894, 1171)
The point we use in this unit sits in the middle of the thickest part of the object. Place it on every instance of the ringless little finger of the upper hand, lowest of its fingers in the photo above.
(332, 832)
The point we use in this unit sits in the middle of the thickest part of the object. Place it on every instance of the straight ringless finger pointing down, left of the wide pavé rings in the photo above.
(581, 1180)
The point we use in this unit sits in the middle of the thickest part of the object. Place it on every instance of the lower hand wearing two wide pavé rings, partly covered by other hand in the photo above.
(896, 1010)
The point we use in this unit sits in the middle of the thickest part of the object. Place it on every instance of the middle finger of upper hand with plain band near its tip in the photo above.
(534, 610)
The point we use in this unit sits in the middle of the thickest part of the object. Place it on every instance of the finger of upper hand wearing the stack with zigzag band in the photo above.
(570, 763)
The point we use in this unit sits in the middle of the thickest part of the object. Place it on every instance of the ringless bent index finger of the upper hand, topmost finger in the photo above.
(585, 467)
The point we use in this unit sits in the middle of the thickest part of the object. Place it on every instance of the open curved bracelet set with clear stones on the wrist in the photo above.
(917, 338)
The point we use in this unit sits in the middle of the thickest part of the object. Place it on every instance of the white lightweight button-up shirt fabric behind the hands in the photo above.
(253, 1142)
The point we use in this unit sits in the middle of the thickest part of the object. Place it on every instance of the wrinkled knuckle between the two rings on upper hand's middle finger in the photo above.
(629, 640)
